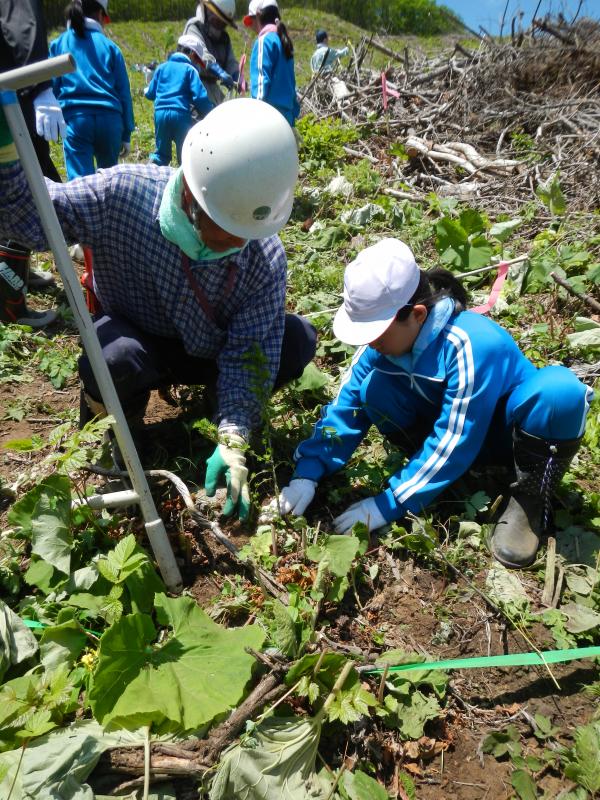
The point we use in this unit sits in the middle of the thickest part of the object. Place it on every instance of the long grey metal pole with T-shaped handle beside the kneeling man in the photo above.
(36, 73)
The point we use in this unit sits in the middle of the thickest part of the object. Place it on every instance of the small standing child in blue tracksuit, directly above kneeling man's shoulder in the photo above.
(175, 88)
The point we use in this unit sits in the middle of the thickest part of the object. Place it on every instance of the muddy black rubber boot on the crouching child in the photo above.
(540, 465)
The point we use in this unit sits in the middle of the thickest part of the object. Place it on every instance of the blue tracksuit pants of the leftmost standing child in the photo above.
(92, 135)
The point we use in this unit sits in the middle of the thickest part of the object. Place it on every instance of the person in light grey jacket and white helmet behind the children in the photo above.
(209, 26)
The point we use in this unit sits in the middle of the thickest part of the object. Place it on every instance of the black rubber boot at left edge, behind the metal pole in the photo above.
(14, 271)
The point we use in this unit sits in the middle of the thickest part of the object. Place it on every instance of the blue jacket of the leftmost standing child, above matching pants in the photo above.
(99, 83)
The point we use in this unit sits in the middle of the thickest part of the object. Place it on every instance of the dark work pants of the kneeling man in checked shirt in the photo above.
(140, 362)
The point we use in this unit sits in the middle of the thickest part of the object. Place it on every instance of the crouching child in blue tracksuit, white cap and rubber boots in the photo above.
(448, 384)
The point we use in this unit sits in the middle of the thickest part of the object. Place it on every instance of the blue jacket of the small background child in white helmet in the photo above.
(176, 86)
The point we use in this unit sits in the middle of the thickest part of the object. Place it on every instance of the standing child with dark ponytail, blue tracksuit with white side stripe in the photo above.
(272, 77)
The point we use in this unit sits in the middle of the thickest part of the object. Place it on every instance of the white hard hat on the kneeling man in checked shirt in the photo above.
(241, 164)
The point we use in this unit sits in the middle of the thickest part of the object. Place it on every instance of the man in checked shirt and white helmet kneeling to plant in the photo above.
(188, 271)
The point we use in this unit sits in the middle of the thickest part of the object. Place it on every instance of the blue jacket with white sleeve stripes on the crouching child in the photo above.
(461, 365)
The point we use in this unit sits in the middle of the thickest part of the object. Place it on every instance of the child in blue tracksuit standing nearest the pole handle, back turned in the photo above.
(96, 98)
